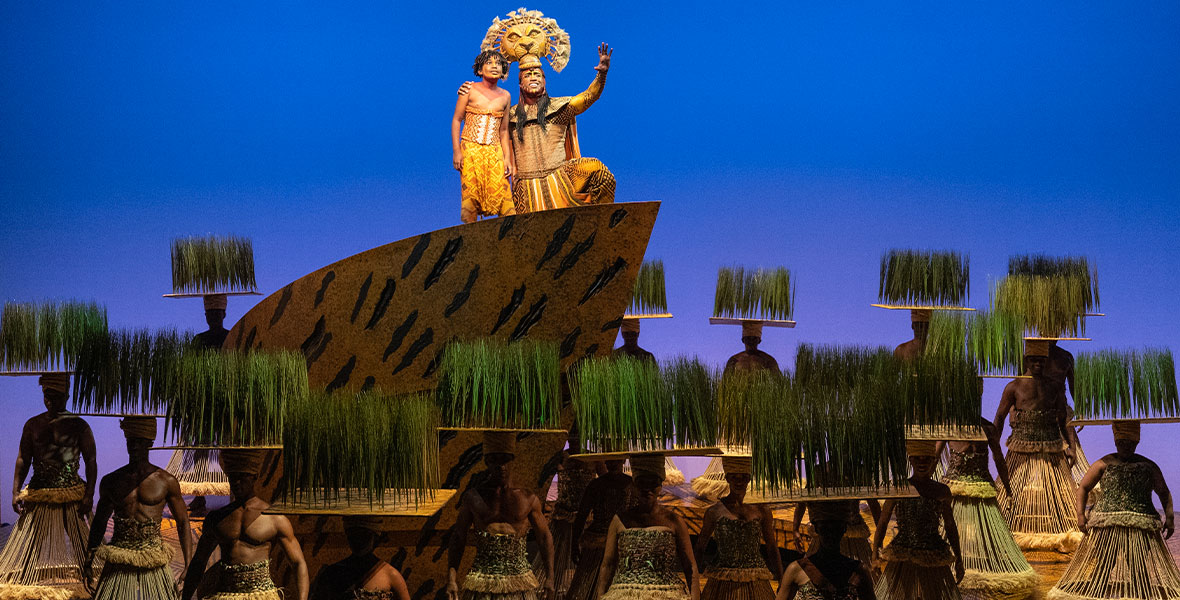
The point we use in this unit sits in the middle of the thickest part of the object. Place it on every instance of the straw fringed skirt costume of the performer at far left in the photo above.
(47, 549)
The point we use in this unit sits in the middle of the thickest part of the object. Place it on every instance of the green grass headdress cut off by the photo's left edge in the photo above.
(40, 337)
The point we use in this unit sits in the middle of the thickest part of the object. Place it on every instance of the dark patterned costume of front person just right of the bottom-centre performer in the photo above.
(740, 571)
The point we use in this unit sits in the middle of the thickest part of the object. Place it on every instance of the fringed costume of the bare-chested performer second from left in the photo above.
(135, 564)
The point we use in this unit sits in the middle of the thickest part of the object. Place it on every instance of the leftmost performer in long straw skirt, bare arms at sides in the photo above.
(47, 550)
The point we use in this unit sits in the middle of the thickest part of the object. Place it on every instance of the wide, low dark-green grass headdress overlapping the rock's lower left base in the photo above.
(357, 453)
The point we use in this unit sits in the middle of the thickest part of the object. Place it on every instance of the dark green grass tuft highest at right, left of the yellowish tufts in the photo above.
(925, 278)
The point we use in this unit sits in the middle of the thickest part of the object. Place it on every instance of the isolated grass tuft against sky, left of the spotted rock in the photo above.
(213, 264)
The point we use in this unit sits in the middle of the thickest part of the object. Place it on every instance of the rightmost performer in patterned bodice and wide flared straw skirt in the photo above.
(1123, 555)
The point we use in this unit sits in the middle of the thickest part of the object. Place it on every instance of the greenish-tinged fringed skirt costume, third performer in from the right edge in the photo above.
(995, 566)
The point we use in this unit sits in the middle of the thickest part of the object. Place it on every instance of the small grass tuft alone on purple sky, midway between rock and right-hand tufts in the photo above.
(755, 295)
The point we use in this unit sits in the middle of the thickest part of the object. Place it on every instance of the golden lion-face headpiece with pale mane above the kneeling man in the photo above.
(529, 34)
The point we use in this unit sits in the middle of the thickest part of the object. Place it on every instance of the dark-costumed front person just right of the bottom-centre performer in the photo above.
(740, 571)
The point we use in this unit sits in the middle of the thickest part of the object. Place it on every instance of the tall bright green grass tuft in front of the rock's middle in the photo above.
(493, 384)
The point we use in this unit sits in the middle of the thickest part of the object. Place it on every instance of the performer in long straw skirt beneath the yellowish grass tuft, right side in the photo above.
(1040, 510)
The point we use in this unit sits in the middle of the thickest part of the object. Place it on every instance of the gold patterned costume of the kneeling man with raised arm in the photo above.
(550, 174)
